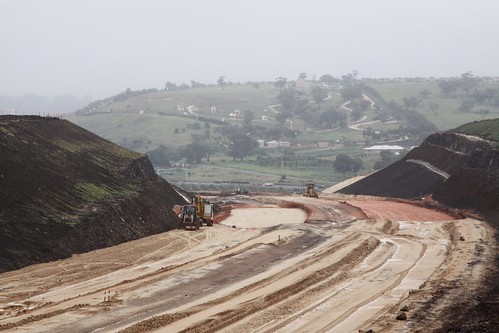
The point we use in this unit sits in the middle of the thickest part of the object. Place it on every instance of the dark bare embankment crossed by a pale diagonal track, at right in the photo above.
(457, 170)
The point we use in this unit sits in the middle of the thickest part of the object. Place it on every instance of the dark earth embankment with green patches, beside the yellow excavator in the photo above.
(65, 190)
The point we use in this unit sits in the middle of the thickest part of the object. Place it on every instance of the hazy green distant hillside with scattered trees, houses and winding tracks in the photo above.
(310, 117)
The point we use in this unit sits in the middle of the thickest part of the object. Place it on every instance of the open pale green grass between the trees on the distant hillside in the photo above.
(147, 121)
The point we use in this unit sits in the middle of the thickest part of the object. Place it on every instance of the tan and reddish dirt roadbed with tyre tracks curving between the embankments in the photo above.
(275, 264)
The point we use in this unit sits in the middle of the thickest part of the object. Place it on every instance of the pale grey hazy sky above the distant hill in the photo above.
(102, 47)
